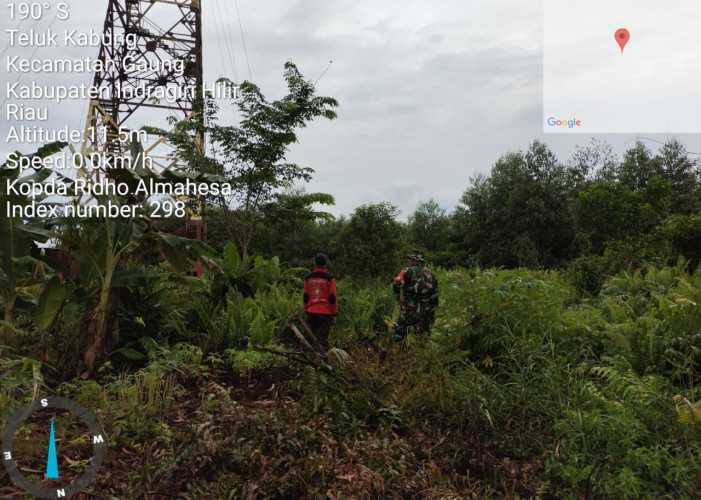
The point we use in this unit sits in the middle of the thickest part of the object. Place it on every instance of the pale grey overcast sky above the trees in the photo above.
(430, 93)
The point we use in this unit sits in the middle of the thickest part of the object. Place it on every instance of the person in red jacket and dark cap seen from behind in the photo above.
(320, 299)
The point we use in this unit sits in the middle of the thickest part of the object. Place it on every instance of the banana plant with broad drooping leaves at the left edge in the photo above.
(110, 254)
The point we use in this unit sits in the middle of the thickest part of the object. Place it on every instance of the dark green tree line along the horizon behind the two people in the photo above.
(595, 214)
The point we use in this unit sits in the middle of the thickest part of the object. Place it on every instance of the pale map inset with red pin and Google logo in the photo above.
(653, 87)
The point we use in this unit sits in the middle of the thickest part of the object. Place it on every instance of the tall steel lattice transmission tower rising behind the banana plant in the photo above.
(161, 34)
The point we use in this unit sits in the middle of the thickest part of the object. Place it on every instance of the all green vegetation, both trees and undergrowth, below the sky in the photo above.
(564, 363)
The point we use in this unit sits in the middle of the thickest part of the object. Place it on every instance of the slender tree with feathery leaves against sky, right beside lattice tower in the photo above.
(252, 155)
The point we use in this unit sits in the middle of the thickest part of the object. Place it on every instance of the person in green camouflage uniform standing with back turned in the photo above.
(416, 288)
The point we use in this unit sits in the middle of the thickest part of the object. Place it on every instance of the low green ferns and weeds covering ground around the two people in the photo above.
(525, 389)
